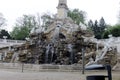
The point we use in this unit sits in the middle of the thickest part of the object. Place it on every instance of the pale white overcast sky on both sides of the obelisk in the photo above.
(95, 9)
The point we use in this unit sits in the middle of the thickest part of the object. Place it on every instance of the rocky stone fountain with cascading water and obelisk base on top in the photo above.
(62, 44)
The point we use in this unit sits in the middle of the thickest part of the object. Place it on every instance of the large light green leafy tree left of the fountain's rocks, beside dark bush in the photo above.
(23, 26)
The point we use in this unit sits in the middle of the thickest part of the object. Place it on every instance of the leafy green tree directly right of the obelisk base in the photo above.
(77, 16)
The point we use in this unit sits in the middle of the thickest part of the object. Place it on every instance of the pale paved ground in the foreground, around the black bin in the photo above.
(15, 74)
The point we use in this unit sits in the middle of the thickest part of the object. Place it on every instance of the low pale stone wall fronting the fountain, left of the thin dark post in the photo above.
(44, 67)
